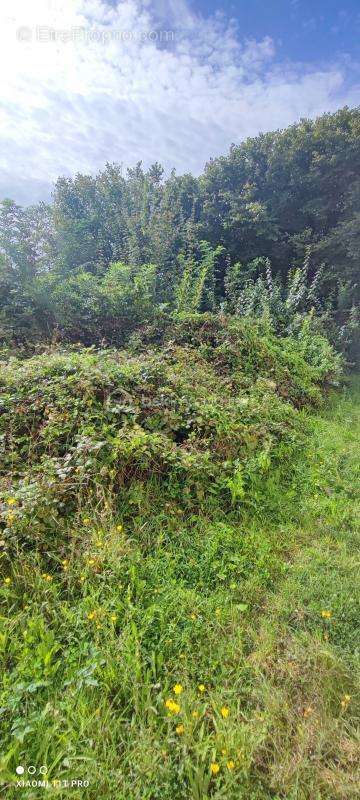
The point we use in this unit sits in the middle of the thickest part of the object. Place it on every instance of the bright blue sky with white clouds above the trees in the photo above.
(85, 82)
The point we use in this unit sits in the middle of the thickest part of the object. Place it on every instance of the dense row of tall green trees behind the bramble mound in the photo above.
(269, 230)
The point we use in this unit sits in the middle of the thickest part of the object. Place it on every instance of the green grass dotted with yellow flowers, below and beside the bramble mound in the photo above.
(162, 652)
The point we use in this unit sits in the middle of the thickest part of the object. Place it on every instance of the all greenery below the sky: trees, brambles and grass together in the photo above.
(179, 512)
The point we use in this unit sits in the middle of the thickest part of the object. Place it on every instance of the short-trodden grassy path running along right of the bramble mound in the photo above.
(307, 651)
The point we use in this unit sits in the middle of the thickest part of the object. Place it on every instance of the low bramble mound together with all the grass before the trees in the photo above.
(178, 568)
